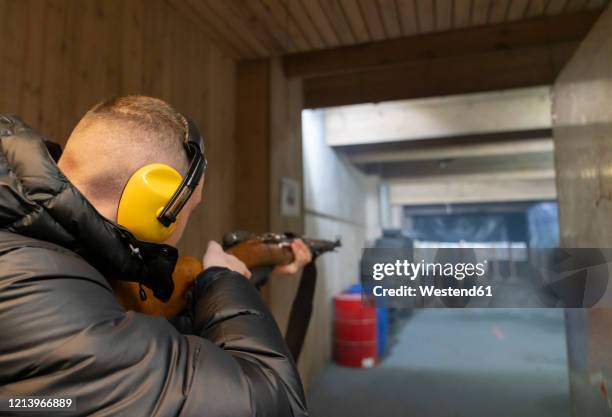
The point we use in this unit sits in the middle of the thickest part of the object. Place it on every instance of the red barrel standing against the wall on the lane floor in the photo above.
(355, 335)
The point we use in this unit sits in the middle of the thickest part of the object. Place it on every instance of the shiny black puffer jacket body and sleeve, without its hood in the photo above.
(63, 333)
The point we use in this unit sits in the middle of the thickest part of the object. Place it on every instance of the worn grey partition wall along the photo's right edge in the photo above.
(582, 117)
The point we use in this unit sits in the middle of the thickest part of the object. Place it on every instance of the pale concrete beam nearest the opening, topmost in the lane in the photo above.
(462, 115)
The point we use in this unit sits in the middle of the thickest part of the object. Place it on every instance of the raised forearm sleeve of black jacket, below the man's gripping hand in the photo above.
(251, 355)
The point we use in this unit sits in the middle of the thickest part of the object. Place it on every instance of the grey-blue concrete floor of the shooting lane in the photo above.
(455, 363)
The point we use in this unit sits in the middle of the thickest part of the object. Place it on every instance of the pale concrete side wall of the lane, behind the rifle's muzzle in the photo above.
(337, 199)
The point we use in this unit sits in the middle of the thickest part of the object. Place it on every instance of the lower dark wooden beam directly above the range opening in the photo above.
(498, 70)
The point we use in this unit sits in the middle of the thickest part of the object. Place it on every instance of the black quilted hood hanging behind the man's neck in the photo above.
(38, 201)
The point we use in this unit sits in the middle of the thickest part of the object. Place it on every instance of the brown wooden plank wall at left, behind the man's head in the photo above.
(58, 58)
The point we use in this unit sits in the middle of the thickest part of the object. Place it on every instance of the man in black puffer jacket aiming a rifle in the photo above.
(63, 334)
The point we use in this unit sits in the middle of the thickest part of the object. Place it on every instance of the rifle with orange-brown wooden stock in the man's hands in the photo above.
(261, 252)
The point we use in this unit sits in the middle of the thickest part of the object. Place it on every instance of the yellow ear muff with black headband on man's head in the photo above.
(156, 193)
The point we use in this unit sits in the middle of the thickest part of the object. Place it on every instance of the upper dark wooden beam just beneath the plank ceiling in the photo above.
(444, 45)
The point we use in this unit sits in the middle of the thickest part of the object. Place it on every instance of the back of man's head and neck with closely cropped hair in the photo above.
(118, 136)
